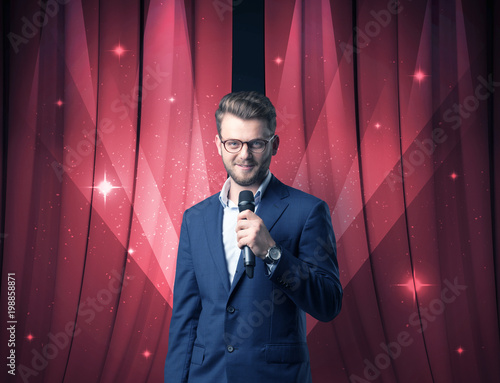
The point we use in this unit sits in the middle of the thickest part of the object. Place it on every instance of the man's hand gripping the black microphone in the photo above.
(251, 232)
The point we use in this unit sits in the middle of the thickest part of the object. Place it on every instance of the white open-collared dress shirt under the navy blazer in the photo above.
(231, 249)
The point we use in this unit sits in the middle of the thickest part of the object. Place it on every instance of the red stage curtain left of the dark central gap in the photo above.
(93, 224)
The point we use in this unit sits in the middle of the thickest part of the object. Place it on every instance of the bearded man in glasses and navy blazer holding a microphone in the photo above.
(226, 326)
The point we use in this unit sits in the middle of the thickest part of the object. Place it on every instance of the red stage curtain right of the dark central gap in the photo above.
(394, 133)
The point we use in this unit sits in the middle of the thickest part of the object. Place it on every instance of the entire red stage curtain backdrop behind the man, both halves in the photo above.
(388, 113)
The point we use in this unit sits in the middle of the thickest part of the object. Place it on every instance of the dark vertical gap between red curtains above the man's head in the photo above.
(248, 46)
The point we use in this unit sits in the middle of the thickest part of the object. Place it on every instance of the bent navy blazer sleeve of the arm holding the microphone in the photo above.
(309, 274)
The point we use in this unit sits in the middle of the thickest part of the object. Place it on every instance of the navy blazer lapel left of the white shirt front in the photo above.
(214, 238)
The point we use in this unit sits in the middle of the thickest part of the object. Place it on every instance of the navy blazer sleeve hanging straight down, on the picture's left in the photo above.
(185, 313)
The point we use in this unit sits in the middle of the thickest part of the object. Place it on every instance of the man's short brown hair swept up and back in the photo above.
(247, 105)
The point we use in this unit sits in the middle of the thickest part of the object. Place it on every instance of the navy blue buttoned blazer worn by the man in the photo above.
(255, 329)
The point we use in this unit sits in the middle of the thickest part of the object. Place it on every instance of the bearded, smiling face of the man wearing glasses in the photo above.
(246, 168)
